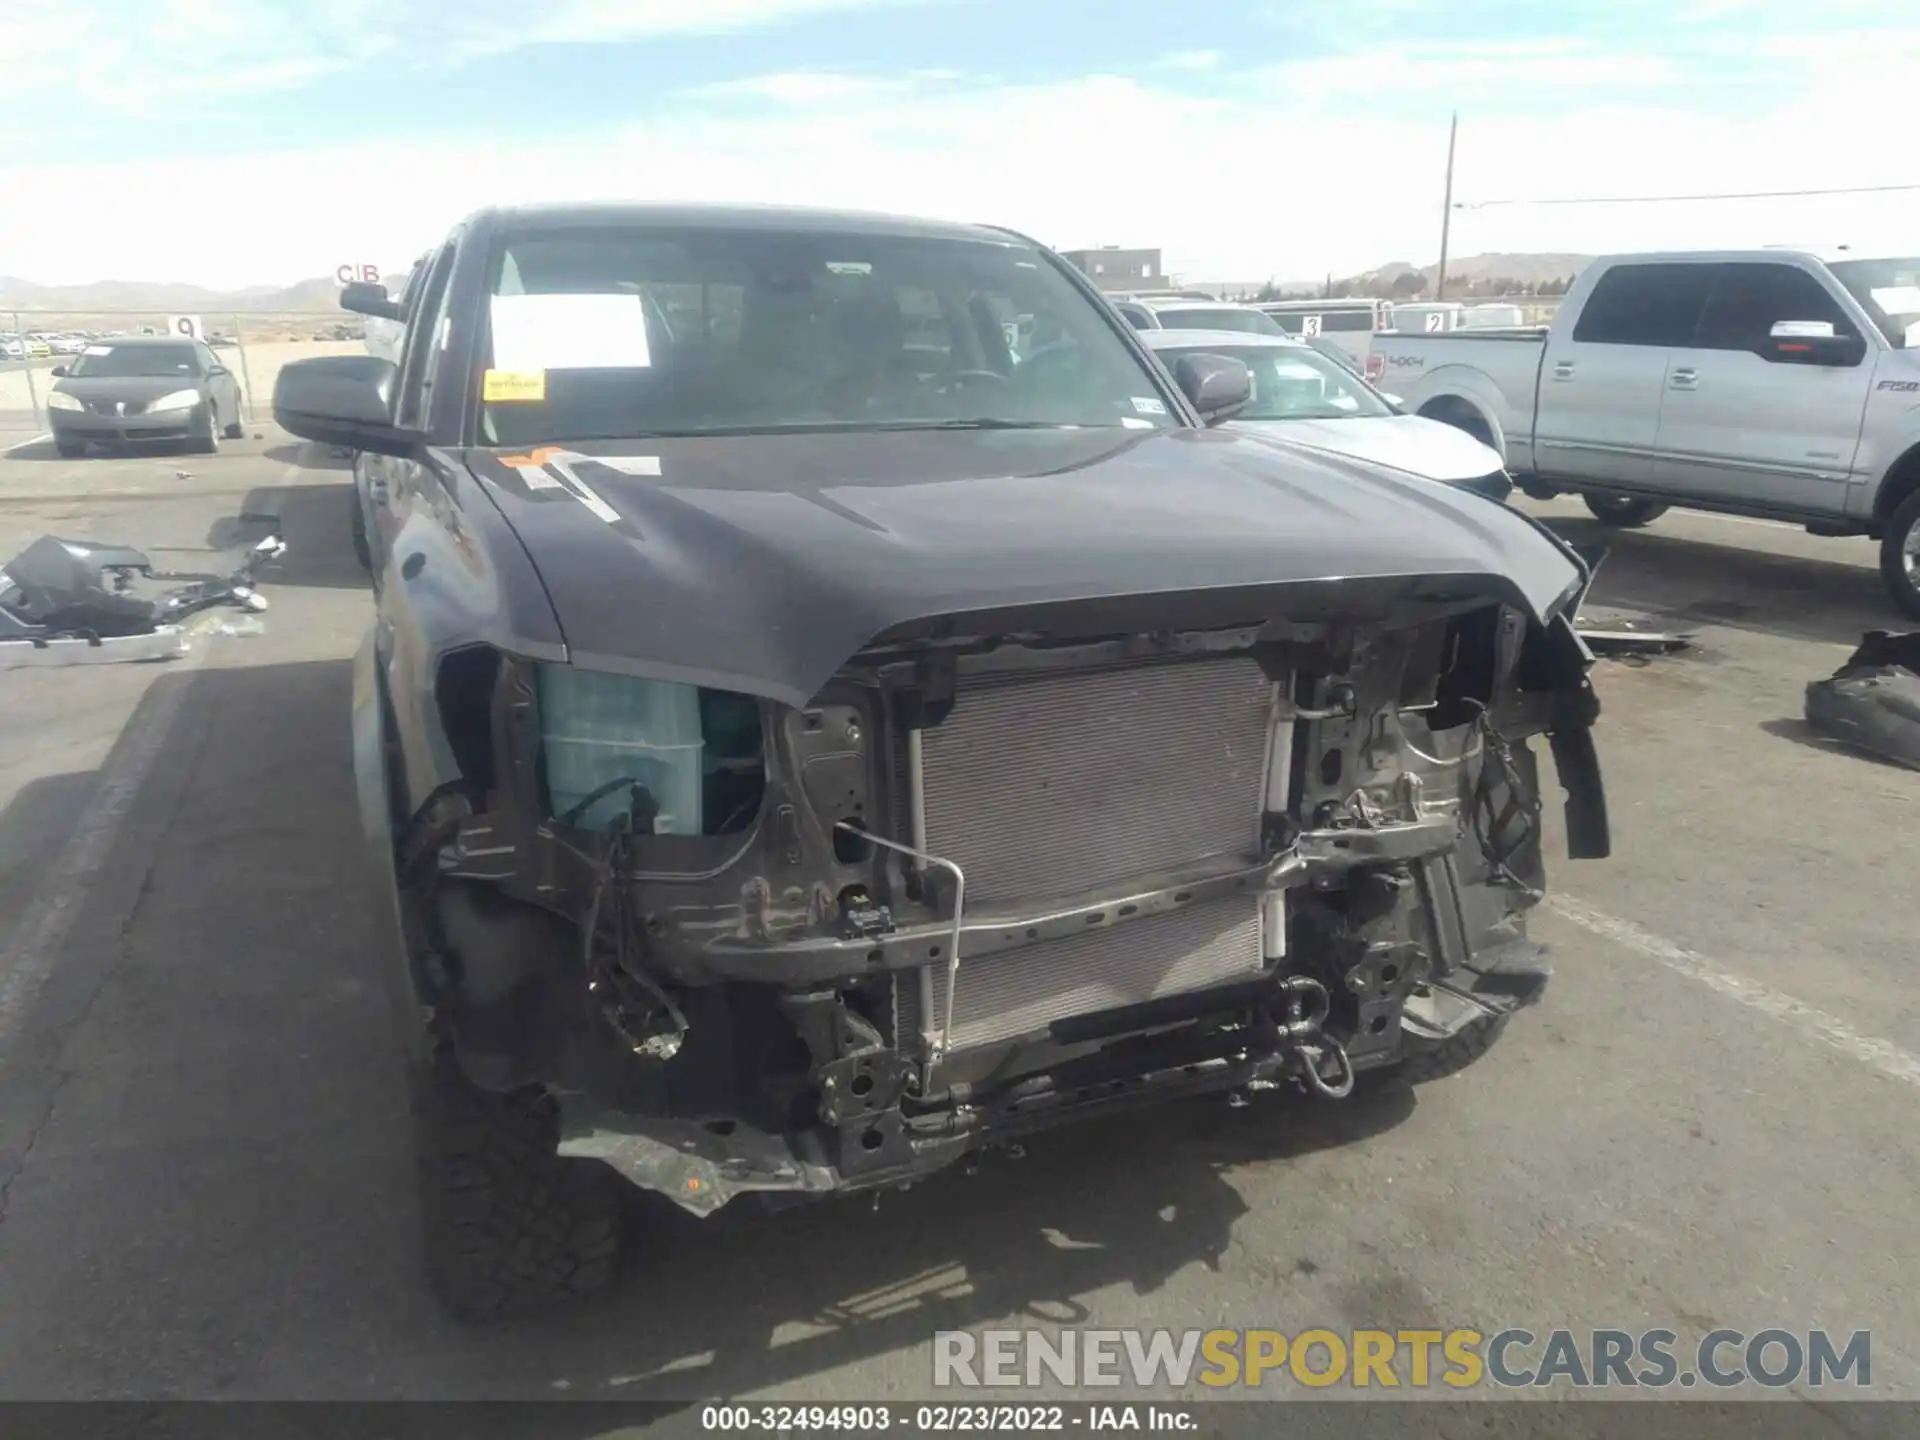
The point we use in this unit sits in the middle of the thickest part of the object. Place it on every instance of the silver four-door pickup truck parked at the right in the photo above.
(1771, 383)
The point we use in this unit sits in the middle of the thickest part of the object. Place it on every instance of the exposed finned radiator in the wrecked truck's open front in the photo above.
(1047, 786)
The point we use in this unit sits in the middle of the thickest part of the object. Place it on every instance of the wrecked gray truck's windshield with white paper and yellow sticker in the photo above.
(608, 335)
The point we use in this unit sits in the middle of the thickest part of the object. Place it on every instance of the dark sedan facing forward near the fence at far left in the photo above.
(145, 389)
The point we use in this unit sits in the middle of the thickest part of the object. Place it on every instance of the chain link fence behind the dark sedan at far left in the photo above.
(252, 345)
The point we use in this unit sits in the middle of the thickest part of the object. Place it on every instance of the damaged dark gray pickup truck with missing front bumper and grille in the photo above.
(838, 704)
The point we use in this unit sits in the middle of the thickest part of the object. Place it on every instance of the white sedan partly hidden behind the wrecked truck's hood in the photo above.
(1310, 400)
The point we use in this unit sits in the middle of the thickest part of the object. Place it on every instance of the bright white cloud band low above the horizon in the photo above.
(1253, 180)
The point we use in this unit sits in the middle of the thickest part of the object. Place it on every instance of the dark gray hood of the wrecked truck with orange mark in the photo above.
(763, 564)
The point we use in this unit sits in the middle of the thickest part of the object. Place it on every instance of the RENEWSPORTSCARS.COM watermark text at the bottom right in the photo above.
(1408, 1360)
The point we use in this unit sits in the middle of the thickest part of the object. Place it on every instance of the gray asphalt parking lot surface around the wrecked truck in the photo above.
(204, 1172)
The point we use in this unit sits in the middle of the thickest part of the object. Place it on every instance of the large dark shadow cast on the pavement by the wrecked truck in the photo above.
(229, 1149)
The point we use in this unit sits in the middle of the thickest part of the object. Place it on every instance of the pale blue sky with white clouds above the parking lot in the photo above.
(1255, 139)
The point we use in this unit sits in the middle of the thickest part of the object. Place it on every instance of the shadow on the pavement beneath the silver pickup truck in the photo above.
(1691, 583)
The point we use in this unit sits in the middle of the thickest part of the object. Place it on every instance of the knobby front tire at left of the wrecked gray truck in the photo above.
(512, 1228)
